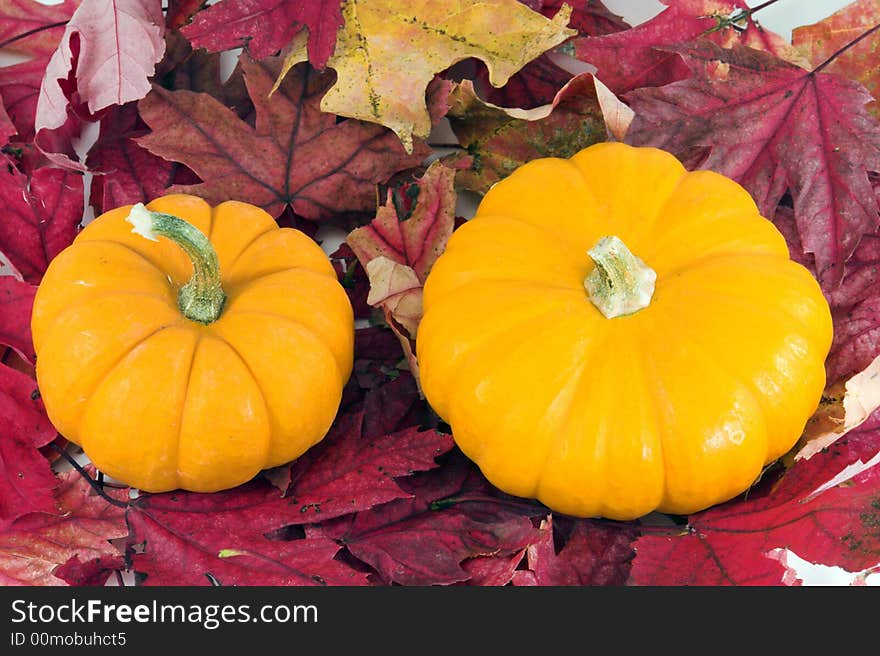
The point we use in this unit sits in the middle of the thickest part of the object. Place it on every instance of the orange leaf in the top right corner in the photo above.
(822, 40)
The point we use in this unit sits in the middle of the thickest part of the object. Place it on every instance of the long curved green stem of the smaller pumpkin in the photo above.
(202, 297)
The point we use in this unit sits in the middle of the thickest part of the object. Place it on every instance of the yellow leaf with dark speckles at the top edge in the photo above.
(389, 50)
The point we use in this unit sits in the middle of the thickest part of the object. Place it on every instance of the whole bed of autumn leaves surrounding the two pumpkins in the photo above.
(326, 115)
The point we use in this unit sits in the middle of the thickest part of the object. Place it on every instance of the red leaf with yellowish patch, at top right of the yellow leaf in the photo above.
(646, 55)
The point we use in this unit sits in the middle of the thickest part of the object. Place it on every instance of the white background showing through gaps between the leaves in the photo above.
(781, 17)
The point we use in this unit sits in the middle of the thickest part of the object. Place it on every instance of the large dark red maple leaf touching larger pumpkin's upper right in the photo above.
(773, 126)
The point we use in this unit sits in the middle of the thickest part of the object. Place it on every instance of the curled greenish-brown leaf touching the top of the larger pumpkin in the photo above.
(498, 140)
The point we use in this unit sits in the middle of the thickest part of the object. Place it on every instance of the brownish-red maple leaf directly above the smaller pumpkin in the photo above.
(295, 155)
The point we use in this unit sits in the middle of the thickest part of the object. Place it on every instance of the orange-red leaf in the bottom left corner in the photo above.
(81, 527)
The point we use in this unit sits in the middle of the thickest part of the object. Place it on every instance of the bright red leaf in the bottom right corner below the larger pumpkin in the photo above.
(813, 511)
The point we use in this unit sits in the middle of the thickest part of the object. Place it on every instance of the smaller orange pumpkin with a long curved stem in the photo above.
(193, 358)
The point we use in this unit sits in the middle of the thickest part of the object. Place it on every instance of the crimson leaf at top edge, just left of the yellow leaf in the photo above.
(264, 27)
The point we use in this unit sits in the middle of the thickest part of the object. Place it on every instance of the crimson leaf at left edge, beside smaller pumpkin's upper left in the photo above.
(43, 214)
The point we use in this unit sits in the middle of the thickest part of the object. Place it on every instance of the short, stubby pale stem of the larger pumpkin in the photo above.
(621, 283)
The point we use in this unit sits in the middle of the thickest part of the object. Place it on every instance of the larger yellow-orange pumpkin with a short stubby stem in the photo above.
(612, 335)
